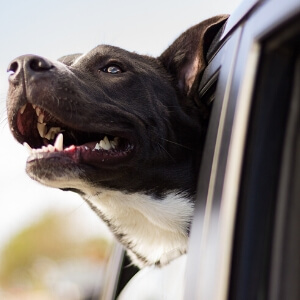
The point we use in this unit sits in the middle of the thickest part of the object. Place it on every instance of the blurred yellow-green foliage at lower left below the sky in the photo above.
(53, 238)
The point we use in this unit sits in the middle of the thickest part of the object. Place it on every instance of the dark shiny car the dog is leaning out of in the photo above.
(245, 241)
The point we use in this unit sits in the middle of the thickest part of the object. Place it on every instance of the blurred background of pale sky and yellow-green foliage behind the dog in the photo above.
(52, 246)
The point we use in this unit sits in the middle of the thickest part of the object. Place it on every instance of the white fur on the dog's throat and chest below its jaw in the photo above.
(154, 230)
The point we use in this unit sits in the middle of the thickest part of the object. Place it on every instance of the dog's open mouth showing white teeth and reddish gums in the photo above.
(44, 136)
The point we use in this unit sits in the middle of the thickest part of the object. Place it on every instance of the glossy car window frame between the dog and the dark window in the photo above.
(212, 234)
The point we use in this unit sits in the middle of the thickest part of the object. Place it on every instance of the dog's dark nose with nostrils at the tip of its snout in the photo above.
(29, 64)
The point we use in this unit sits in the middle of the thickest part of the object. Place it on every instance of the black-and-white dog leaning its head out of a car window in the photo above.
(123, 130)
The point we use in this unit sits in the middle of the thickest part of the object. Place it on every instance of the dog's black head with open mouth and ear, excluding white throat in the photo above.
(113, 118)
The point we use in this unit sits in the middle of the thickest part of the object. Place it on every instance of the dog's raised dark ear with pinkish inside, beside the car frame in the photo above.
(185, 59)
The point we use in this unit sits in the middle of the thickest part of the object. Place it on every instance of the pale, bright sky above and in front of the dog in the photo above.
(60, 27)
